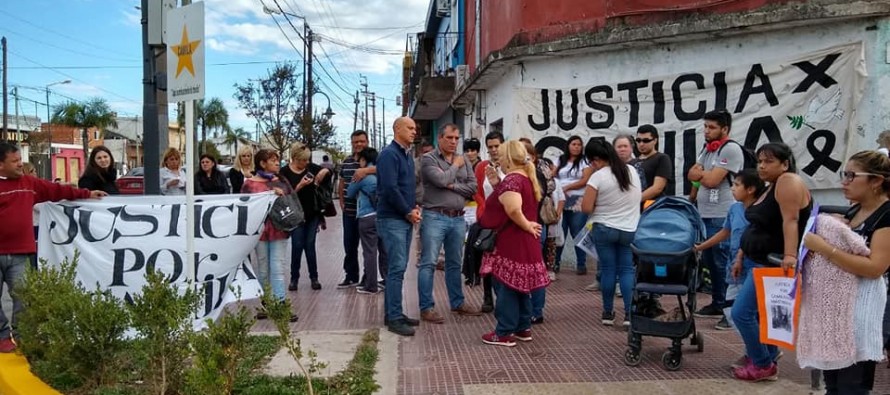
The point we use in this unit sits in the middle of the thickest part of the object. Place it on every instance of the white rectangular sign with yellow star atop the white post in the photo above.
(185, 60)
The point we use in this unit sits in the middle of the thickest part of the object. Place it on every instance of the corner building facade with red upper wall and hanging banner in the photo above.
(814, 74)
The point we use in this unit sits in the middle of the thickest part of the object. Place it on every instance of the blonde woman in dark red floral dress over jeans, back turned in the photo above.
(516, 264)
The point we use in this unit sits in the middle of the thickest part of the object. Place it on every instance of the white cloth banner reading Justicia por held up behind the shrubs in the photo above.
(119, 238)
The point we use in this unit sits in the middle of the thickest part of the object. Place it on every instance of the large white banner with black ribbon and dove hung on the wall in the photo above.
(807, 101)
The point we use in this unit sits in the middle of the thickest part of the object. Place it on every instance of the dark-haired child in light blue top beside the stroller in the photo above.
(746, 188)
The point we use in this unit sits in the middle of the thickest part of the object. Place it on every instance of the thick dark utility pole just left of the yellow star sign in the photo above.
(151, 131)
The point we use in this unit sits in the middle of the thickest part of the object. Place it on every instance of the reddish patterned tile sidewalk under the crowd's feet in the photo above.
(572, 352)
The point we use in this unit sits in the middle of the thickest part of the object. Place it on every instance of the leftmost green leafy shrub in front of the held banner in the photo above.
(72, 337)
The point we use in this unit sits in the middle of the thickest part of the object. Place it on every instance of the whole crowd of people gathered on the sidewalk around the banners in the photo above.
(502, 222)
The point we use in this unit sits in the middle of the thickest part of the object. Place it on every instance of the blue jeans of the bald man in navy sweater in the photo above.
(396, 236)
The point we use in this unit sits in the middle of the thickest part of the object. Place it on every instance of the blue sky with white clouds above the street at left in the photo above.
(97, 45)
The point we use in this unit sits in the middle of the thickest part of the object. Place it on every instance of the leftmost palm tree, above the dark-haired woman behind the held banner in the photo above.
(94, 112)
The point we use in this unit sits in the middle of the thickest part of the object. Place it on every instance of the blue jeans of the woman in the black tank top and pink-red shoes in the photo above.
(745, 317)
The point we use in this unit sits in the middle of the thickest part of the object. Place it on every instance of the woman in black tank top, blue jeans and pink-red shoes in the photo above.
(777, 220)
